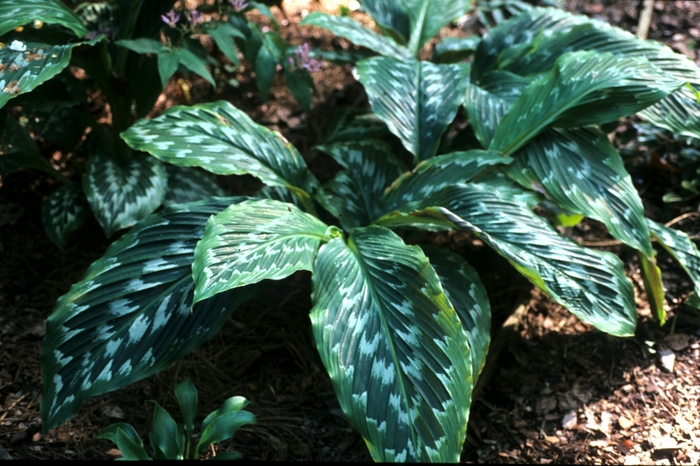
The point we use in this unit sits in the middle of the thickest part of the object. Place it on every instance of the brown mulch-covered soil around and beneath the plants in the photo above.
(555, 390)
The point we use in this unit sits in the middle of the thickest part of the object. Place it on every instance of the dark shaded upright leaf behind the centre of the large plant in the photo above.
(355, 193)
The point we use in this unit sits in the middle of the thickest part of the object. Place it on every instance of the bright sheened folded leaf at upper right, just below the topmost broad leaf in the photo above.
(583, 88)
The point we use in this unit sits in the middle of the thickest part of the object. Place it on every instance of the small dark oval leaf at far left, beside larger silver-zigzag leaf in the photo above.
(63, 212)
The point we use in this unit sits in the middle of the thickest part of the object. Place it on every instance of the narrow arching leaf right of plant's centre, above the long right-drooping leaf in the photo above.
(434, 174)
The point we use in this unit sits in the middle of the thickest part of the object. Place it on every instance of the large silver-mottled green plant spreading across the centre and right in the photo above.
(401, 335)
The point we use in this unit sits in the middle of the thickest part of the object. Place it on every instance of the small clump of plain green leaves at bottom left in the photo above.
(171, 440)
